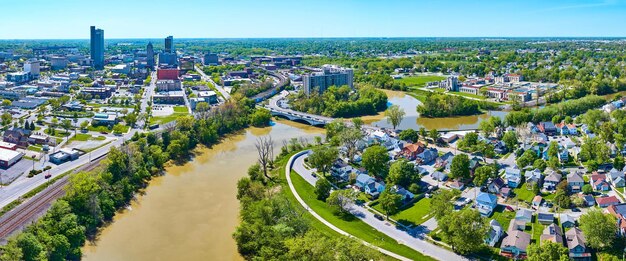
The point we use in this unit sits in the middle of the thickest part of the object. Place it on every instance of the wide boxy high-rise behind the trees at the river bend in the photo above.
(329, 76)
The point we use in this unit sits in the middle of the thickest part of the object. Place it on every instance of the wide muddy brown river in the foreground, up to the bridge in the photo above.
(191, 212)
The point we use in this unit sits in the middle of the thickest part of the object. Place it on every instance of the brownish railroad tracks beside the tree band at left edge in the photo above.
(28, 211)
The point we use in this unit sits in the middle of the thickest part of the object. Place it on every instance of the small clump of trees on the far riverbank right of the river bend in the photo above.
(437, 105)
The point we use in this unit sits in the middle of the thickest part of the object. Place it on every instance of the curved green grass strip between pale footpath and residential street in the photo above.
(351, 225)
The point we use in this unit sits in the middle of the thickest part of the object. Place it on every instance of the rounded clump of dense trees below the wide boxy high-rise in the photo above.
(341, 102)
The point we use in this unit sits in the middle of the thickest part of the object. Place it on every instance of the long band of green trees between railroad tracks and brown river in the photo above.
(92, 198)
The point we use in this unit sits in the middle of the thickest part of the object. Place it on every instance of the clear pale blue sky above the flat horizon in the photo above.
(70, 19)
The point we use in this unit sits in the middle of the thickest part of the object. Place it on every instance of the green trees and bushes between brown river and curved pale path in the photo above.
(274, 226)
